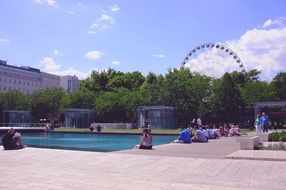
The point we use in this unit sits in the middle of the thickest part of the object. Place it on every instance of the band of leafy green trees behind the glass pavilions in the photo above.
(115, 95)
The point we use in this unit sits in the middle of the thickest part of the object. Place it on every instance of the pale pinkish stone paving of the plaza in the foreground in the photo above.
(167, 167)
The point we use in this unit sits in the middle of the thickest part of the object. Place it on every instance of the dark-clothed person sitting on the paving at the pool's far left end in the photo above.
(12, 140)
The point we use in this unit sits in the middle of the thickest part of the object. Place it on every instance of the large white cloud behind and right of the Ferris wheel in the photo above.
(262, 49)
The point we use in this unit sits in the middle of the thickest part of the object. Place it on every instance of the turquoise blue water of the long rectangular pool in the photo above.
(91, 142)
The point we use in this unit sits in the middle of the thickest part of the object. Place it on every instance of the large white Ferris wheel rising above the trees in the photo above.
(213, 59)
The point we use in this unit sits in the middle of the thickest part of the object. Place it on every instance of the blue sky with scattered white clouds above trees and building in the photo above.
(75, 37)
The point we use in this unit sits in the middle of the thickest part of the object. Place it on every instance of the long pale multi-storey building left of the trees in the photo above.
(27, 79)
